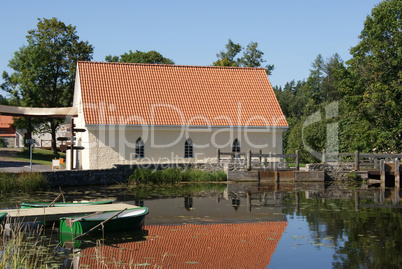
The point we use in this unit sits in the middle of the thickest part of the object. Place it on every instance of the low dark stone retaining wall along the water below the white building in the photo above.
(118, 174)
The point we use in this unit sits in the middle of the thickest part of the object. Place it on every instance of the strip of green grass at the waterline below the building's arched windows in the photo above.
(174, 175)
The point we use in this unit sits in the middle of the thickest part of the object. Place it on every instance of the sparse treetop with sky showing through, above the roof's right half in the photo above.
(252, 56)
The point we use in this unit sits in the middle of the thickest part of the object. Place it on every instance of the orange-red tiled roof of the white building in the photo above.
(151, 94)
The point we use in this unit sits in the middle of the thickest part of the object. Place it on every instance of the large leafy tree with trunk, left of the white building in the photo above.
(44, 70)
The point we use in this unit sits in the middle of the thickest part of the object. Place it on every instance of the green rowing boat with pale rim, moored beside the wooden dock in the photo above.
(112, 221)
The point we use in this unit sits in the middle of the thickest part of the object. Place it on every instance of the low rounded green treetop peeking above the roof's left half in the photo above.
(152, 57)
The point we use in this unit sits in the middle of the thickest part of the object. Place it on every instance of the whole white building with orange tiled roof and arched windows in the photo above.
(150, 113)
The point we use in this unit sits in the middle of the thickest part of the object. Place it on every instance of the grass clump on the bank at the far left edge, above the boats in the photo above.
(22, 182)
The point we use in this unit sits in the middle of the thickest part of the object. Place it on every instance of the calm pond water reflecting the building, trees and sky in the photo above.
(322, 226)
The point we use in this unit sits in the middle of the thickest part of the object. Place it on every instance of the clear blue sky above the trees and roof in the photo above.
(291, 33)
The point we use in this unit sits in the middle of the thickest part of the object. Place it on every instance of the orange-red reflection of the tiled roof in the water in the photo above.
(244, 245)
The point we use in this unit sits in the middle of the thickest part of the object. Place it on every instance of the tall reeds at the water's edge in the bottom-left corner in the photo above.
(23, 246)
